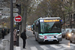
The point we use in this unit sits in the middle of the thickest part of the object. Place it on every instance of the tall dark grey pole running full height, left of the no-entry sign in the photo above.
(11, 15)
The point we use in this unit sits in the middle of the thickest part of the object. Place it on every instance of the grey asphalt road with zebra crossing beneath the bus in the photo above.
(34, 45)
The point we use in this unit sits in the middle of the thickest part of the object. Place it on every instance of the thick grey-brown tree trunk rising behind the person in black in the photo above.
(24, 5)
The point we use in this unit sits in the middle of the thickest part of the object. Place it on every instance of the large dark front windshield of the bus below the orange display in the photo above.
(50, 27)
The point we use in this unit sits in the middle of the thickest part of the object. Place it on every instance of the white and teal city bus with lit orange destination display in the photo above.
(48, 29)
